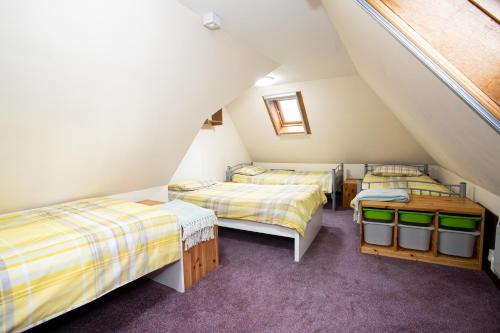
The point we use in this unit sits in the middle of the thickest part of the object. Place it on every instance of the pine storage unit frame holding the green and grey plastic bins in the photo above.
(428, 204)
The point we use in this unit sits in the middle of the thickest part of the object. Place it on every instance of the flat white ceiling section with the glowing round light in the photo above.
(295, 34)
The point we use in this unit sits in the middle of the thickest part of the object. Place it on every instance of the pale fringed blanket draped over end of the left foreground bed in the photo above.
(197, 222)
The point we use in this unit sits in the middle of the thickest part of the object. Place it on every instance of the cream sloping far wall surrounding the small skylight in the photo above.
(349, 124)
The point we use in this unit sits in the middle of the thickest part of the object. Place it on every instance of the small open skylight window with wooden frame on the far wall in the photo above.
(287, 113)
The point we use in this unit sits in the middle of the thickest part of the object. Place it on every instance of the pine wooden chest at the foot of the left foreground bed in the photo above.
(199, 260)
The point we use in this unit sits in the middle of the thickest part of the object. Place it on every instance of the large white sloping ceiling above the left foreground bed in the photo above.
(101, 97)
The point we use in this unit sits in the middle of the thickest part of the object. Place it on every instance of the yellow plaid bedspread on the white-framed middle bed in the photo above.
(290, 206)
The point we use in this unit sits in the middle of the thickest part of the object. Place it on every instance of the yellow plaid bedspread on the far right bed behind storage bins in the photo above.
(405, 182)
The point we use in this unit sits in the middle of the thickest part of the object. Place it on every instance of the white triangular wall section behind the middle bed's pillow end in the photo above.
(213, 149)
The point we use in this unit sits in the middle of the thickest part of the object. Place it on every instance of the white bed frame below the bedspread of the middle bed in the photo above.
(301, 243)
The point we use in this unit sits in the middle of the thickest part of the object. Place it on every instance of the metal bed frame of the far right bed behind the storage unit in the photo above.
(454, 190)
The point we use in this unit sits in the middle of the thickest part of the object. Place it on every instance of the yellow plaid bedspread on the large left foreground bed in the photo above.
(57, 258)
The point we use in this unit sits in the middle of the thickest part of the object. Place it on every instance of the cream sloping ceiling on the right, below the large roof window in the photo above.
(447, 128)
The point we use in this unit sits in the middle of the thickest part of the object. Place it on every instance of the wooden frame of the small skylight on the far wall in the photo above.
(275, 112)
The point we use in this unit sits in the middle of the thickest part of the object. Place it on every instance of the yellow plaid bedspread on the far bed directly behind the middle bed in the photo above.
(284, 177)
